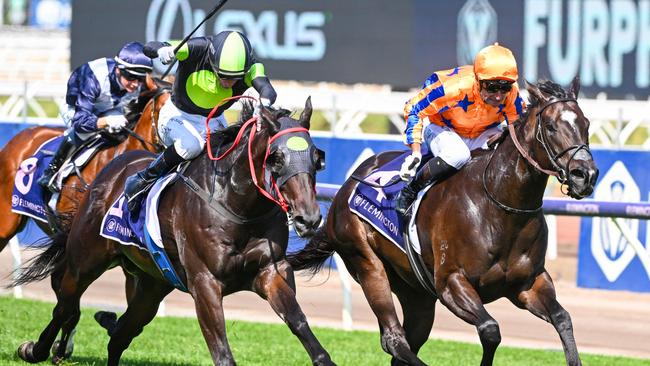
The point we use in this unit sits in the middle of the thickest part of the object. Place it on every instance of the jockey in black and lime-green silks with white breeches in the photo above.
(210, 69)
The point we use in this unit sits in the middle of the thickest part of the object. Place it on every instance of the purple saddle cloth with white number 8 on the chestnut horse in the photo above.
(28, 196)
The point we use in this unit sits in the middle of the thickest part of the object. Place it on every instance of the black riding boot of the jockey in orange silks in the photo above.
(436, 169)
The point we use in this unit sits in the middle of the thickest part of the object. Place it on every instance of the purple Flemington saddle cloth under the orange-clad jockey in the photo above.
(376, 206)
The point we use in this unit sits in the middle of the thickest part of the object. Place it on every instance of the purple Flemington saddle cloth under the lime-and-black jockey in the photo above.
(142, 229)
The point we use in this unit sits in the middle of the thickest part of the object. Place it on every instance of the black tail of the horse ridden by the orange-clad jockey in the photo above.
(313, 256)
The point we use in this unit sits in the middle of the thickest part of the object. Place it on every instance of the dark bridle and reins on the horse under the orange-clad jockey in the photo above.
(561, 173)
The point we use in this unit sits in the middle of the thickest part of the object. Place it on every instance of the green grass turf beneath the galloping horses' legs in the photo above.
(178, 341)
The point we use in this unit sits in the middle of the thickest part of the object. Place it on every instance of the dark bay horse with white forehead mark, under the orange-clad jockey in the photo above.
(482, 233)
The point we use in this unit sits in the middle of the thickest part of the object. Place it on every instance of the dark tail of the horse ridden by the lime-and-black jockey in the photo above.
(44, 264)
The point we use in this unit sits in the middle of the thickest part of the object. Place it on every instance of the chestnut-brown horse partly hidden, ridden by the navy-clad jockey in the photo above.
(142, 136)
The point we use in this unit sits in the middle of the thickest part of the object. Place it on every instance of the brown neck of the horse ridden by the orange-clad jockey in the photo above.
(524, 186)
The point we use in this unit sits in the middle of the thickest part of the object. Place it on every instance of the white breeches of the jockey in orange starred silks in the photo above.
(451, 147)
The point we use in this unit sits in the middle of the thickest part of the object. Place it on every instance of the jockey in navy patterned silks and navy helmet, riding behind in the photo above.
(97, 93)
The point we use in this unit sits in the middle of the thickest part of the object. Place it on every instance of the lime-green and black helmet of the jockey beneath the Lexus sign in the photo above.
(230, 55)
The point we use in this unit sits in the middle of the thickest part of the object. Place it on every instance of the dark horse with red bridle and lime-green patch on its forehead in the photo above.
(222, 231)
